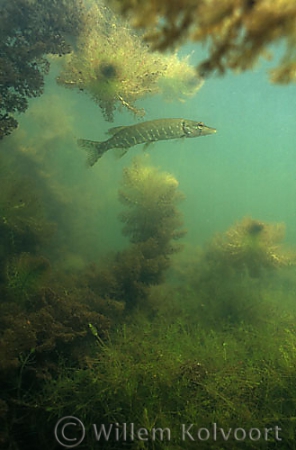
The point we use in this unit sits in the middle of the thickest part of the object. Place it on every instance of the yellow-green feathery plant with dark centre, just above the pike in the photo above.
(116, 68)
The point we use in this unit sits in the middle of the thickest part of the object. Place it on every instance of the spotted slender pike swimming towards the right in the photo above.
(125, 137)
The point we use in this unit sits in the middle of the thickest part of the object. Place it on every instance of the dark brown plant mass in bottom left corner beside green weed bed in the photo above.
(36, 336)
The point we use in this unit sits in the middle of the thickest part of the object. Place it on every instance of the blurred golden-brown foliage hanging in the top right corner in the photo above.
(236, 32)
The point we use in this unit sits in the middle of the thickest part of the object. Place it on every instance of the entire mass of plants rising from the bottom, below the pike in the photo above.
(117, 343)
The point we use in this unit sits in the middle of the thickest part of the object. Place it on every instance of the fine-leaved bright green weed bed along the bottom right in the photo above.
(167, 371)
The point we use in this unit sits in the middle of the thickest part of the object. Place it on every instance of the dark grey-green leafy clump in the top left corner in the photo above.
(30, 30)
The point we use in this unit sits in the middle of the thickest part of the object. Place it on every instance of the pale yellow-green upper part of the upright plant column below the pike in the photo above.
(151, 198)
